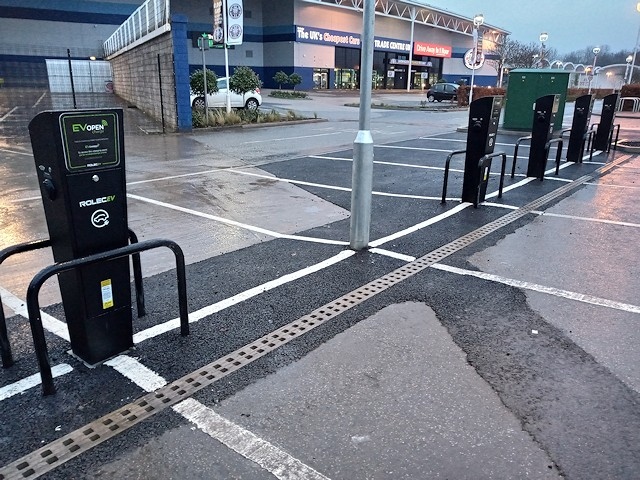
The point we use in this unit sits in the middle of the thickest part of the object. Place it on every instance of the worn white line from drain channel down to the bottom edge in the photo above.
(276, 461)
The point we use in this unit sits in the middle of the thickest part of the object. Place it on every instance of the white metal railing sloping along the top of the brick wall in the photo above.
(149, 20)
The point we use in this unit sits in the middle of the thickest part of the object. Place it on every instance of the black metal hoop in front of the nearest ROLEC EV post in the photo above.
(33, 307)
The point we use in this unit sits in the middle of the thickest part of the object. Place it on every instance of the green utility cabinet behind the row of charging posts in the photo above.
(526, 85)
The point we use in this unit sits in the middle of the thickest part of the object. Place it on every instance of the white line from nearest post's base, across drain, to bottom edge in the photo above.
(242, 441)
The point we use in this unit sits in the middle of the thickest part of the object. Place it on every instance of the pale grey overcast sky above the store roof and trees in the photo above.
(571, 24)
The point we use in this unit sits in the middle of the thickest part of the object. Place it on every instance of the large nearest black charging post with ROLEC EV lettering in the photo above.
(80, 162)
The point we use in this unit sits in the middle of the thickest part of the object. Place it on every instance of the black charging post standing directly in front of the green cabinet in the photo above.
(544, 116)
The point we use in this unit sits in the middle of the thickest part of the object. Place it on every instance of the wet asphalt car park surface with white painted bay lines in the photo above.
(497, 342)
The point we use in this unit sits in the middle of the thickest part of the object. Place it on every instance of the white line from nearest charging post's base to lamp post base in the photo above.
(240, 297)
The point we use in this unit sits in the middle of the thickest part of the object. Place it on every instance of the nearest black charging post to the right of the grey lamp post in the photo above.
(484, 116)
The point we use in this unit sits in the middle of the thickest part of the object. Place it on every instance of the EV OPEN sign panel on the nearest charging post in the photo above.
(90, 140)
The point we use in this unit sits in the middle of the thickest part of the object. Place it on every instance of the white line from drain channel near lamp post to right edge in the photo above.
(579, 297)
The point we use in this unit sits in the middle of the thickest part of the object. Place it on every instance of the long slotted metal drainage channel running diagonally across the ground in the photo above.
(83, 439)
